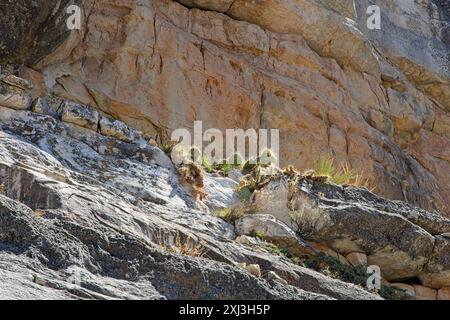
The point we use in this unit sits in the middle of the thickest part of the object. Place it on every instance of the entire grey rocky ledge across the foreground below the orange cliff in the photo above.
(89, 209)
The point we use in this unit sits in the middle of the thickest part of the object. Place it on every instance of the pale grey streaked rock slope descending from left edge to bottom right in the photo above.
(88, 216)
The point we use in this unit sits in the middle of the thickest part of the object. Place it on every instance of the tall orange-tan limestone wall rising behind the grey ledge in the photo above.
(377, 99)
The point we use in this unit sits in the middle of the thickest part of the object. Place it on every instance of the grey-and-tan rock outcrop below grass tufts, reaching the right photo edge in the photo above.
(406, 243)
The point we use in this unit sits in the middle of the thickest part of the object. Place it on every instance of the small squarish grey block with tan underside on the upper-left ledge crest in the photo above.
(80, 115)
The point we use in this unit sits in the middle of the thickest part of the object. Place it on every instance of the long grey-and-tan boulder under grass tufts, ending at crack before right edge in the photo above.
(399, 247)
